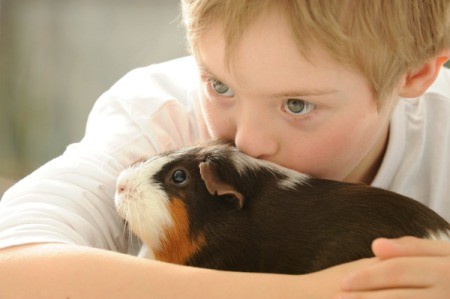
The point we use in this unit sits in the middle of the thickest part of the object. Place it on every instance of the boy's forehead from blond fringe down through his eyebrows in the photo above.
(272, 66)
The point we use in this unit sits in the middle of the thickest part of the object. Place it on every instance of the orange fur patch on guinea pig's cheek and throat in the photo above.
(177, 244)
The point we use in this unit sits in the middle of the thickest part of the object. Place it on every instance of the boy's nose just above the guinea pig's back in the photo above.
(256, 137)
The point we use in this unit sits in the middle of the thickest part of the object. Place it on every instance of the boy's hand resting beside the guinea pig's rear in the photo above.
(408, 268)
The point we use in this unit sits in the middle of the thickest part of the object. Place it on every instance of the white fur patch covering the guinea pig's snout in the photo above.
(143, 202)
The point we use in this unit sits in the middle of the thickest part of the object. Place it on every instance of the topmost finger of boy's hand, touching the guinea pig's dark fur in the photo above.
(409, 246)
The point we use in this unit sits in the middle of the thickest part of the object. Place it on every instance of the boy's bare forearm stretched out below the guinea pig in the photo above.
(66, 271)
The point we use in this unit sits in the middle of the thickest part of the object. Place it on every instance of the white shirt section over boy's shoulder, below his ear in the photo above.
(417, 161)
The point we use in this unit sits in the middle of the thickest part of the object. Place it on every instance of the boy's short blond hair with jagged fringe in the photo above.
(382, 39)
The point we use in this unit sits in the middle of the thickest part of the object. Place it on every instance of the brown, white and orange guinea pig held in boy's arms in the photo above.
(212, 206)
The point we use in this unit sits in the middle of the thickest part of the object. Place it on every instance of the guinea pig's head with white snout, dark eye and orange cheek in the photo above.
(170, 199)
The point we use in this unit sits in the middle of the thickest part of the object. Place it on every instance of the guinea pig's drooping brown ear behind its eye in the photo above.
(216, 186)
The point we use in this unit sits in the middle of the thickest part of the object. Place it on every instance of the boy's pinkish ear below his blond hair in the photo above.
(416, 82)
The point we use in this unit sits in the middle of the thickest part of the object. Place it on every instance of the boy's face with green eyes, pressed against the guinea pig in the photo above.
(319, 118)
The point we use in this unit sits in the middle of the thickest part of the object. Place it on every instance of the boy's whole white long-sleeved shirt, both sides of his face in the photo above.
(154, 109)
